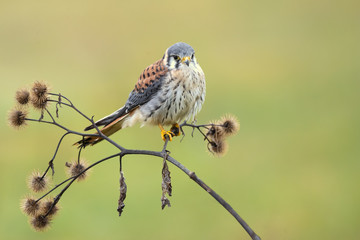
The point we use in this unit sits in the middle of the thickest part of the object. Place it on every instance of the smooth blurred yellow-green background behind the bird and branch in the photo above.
(289, 70)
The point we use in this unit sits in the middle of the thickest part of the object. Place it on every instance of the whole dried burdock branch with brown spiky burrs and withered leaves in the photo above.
(42, 212)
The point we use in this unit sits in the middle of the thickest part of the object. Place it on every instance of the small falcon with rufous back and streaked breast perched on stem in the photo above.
(167, 92)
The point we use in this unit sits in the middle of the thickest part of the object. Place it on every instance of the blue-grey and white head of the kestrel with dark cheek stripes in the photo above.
(180, 55)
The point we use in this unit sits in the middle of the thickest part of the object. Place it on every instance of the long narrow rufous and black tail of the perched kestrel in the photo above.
(112, 123)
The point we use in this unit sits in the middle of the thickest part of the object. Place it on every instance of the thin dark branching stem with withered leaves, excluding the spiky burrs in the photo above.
(164, 154)
